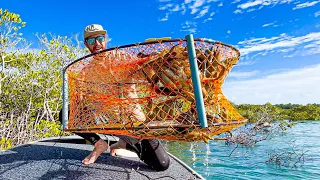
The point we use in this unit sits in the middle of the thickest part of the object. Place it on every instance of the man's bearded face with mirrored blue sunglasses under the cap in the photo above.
(95, 43)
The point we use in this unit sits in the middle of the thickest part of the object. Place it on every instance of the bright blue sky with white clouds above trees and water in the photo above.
(279, 39)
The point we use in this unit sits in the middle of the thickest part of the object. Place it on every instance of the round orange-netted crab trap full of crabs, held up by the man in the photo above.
(161, 88)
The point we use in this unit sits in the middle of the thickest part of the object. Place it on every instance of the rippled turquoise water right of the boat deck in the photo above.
(213, 161)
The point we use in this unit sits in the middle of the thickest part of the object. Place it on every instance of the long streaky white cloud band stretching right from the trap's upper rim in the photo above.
(279, 42)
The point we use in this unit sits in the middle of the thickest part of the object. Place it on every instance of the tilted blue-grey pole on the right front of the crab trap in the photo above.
(196, 82)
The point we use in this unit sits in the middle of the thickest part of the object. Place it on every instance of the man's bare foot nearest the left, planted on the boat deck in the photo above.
(99, 148)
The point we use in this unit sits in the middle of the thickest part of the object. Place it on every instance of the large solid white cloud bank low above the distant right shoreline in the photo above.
(296, 86)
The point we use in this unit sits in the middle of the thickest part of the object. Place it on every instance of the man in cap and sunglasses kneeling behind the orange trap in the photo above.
(149, 151)
